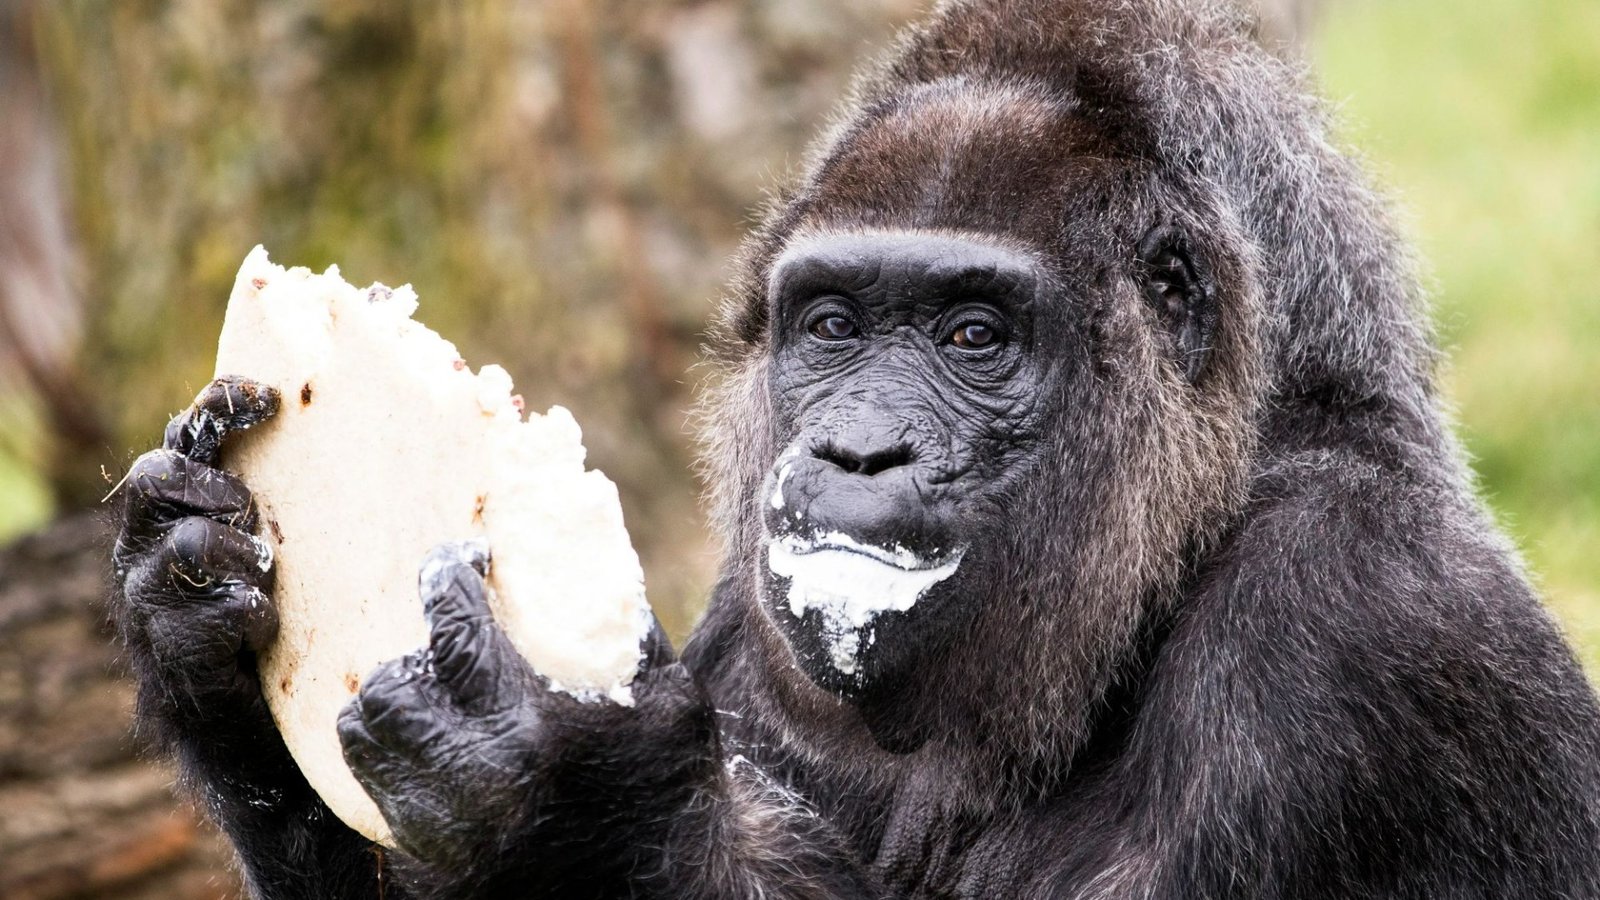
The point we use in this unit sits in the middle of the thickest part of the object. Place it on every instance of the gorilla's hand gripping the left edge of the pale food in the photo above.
(193, 600)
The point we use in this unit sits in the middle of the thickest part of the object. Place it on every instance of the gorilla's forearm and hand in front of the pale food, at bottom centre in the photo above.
(500, 787)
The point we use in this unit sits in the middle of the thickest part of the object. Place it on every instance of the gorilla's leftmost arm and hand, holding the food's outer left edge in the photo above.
(193, 608)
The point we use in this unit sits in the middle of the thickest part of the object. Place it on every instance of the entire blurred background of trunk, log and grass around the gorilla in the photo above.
(564, 183)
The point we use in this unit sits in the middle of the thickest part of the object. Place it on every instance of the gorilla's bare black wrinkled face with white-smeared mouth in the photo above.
(908, 385)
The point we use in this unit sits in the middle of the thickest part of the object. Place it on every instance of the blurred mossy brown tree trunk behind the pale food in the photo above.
(561, 182)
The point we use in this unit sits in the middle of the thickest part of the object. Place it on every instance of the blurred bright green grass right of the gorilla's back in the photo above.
(1484, 121)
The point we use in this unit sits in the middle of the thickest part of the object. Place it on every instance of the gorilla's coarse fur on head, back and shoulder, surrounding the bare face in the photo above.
(1279, 651)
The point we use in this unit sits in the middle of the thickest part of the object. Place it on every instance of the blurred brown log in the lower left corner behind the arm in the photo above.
(82, 811)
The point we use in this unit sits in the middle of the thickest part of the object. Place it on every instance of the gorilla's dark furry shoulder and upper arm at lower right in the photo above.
(1359, 699)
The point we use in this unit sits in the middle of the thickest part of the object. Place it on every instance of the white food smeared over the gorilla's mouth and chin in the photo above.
(852, 584)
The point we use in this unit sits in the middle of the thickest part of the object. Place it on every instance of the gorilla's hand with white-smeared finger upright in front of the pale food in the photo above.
(479, 766)
